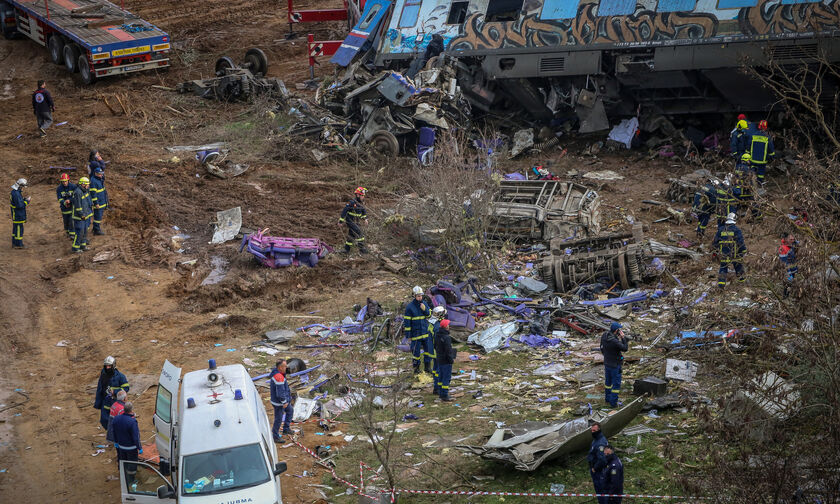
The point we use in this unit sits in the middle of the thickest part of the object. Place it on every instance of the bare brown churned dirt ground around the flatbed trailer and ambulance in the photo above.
(140, 306)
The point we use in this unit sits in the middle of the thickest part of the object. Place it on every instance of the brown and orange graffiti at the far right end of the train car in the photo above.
(772, 17)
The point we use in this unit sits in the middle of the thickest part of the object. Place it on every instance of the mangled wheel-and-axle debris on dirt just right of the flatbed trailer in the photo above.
(238, 82)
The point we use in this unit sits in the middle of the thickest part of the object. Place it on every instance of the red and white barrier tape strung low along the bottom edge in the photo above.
(395, 491)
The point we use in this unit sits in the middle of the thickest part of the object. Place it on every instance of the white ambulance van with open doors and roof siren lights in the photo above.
(215, 442)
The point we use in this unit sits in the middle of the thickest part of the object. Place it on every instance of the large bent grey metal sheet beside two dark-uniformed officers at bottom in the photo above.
(527, 446)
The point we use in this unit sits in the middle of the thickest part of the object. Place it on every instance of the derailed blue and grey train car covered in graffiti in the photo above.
(679, 56)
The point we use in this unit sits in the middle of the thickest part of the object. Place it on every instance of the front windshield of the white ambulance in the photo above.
(224, 470)
